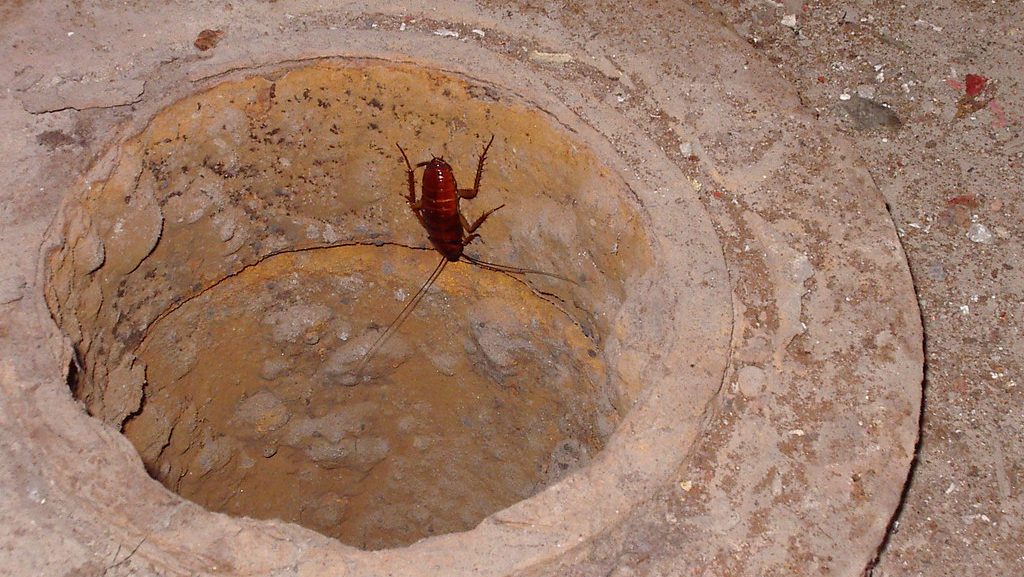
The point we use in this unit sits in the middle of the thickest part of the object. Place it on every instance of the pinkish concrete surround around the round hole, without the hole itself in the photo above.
(772, 354)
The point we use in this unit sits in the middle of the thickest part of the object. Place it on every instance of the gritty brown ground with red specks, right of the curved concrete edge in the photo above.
(942, 176)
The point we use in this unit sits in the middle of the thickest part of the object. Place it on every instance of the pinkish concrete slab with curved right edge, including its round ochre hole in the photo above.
(731, 385)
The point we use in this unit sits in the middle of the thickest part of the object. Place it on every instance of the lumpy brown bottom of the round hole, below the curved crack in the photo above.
(257, 404)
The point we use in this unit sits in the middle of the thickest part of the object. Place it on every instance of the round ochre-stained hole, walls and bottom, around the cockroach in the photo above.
(223, 284)
